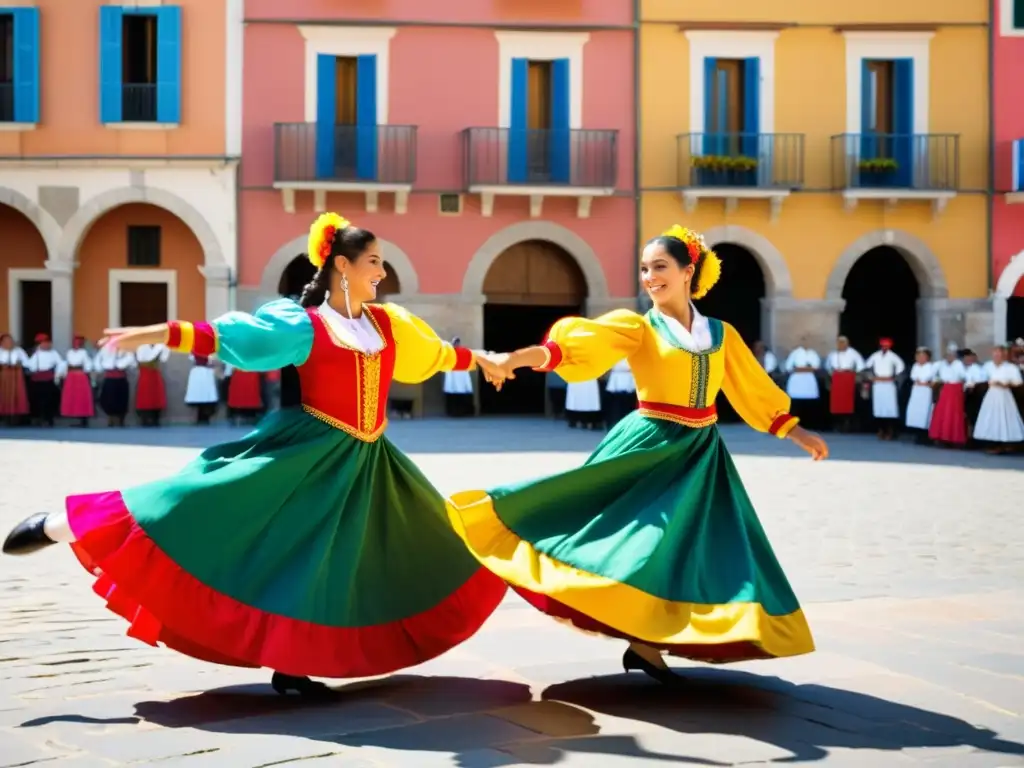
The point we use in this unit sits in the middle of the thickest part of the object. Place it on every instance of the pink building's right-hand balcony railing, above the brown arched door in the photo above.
(513, 157)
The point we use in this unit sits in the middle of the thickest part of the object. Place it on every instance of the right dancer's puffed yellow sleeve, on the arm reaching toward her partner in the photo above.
(582, 350)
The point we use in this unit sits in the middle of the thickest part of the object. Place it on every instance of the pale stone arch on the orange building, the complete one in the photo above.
(90, 214)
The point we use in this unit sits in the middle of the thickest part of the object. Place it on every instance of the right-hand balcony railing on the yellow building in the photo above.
(925, 162)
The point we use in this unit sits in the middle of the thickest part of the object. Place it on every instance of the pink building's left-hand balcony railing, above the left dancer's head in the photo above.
(345, 154)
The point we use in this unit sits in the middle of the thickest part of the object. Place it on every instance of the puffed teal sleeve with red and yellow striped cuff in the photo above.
(279, 334)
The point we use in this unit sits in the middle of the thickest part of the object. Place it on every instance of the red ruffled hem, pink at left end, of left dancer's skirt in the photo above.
(165, 605)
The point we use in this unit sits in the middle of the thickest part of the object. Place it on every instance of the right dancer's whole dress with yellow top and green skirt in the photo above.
(654, 539)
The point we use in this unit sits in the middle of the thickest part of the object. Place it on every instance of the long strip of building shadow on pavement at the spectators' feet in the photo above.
(490, 436)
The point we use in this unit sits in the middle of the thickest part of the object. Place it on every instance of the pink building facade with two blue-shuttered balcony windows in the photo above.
(495, 164)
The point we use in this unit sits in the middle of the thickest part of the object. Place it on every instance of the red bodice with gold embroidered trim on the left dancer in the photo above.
(344, 387)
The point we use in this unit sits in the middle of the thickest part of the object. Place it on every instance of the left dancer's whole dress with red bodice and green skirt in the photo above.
(313, 545)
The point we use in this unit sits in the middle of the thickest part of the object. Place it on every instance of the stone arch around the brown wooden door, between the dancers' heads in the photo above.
(573, 244)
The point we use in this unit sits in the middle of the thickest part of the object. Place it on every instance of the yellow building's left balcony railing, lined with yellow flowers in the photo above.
(765, 161)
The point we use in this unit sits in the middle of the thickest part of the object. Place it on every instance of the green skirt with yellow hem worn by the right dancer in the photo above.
(654, 539)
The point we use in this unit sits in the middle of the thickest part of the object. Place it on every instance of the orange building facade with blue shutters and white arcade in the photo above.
(120, 136)
